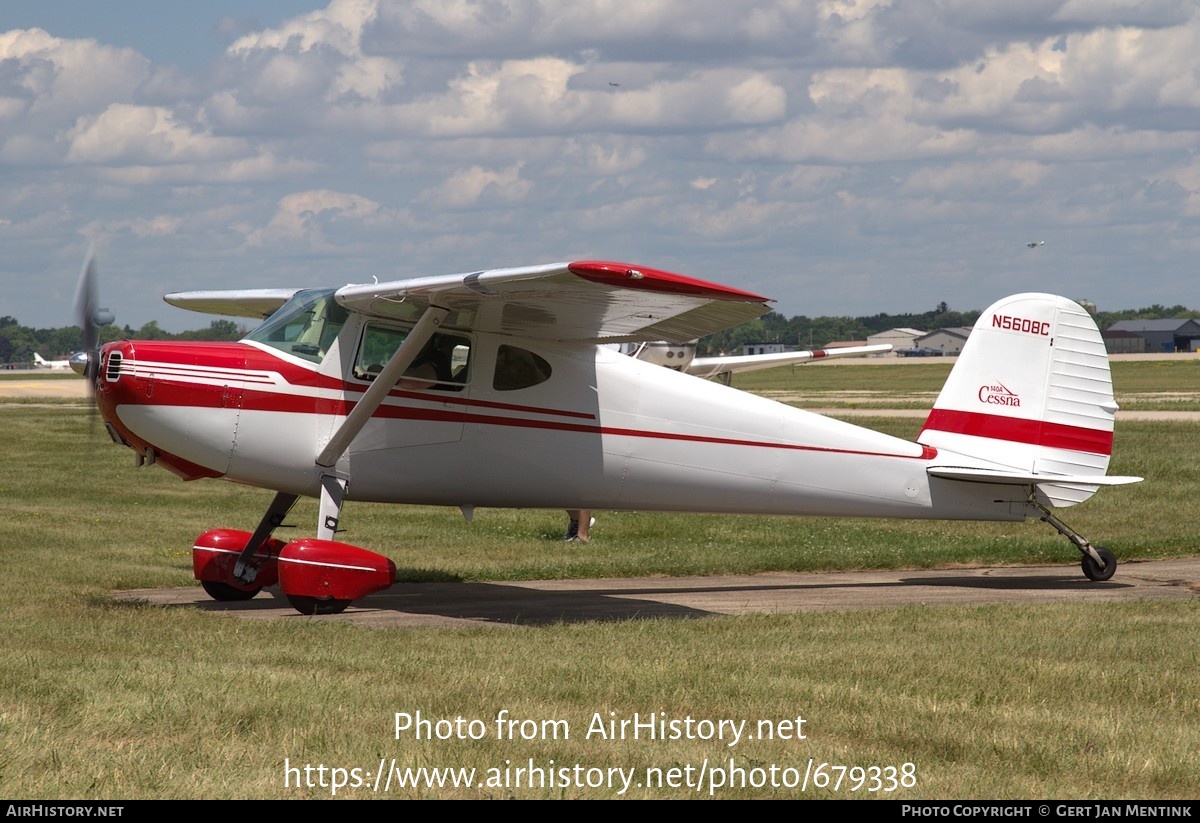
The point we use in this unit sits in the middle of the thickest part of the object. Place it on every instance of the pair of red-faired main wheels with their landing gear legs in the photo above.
(317, 575)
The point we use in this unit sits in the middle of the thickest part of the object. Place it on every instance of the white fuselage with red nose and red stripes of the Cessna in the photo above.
(604, 431)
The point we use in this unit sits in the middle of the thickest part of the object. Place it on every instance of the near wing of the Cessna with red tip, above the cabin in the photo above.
(596, 302)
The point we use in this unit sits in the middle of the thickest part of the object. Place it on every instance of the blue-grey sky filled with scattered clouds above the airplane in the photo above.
(844, 158)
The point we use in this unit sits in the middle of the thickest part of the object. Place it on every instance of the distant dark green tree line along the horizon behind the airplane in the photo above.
(19, 344)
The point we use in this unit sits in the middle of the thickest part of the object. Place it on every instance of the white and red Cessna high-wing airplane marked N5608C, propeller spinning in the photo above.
(501, 389)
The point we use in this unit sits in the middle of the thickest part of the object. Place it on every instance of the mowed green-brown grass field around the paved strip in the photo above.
(110, 701)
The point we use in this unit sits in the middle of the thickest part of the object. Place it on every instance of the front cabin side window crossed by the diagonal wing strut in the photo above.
(443, 365)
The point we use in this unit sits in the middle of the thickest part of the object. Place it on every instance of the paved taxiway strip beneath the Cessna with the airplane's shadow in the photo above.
(541, 603)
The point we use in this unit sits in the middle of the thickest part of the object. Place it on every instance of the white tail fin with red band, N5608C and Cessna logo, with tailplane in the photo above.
(1030, 400)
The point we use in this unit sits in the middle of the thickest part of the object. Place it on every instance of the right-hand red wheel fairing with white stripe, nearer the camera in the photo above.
(329, 570)
